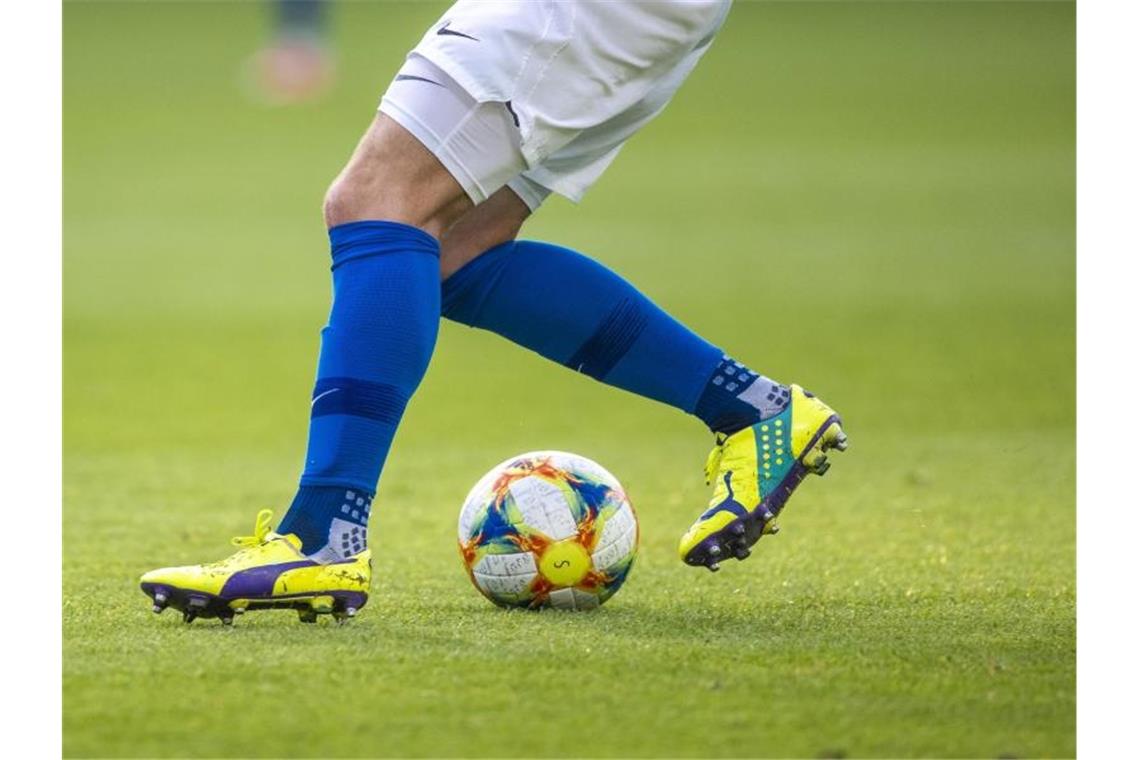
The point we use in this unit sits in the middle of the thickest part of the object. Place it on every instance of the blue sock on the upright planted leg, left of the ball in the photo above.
(374, 353)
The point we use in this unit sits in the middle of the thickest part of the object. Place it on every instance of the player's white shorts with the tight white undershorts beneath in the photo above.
(541, 95)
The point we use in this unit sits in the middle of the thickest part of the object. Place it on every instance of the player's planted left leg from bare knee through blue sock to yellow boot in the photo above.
(385, 214)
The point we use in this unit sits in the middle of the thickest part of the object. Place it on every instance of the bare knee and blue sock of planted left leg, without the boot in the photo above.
(385, 214)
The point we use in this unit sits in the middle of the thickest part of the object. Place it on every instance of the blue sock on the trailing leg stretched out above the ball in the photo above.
(575, 312)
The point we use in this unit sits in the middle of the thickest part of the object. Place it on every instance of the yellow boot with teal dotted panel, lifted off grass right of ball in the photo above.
(754, 472)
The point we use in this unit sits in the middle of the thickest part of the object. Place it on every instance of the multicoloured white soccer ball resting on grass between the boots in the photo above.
(548, 529)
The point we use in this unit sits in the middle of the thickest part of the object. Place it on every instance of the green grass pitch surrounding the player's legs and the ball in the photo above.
(876, 201)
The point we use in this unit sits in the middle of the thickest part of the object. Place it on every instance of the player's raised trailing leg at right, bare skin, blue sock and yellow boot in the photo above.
(574, 310)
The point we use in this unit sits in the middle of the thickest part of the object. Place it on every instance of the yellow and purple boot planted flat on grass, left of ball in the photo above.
(268, 573)
